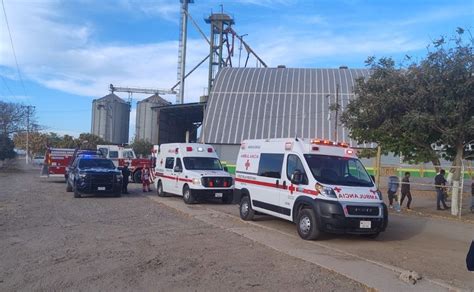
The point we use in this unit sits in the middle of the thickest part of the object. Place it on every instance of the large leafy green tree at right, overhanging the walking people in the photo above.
(409, 109)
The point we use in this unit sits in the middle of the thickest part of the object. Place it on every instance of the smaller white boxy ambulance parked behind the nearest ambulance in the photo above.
(193, 171)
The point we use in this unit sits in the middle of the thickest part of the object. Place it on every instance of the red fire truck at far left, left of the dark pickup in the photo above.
(56, 161)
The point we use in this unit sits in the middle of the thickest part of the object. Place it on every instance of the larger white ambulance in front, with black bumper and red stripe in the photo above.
(318, 184)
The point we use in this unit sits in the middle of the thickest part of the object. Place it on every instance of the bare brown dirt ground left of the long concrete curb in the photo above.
(51, 241)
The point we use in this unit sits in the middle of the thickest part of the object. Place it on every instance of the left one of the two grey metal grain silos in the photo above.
(111, 118)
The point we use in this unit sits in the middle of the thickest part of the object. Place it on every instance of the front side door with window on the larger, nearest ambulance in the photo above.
(288, 196)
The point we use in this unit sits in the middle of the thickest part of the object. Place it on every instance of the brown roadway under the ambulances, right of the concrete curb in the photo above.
(435, 248)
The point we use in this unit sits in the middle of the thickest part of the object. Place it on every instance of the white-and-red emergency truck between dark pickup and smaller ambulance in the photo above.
(120, 155)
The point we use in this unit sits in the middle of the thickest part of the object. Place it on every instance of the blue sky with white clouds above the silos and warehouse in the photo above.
(69, 51)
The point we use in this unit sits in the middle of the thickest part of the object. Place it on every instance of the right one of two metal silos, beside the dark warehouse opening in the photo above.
(147, 118)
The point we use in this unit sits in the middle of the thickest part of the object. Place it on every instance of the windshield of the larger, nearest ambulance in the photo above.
(336, 170)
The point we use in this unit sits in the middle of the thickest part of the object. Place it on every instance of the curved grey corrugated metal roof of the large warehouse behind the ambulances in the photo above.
(260, 103)
